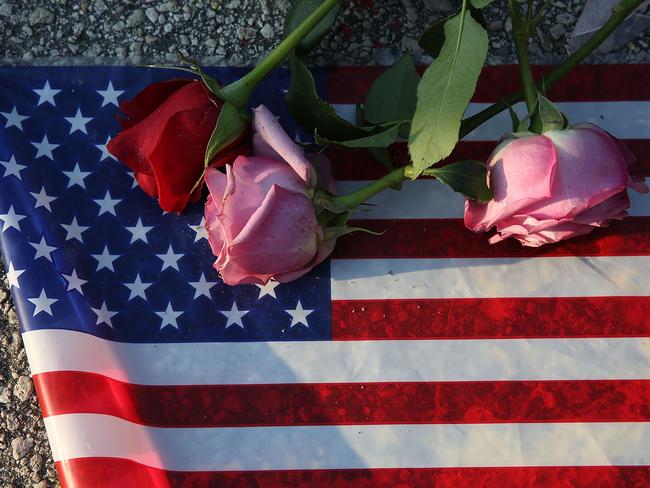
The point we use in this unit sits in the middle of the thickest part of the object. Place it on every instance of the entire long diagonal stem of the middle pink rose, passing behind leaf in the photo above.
(619, 14)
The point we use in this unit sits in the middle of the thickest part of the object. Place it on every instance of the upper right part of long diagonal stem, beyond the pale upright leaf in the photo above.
(619, 14)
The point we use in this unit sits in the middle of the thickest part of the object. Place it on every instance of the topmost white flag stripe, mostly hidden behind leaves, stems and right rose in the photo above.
(627, 120)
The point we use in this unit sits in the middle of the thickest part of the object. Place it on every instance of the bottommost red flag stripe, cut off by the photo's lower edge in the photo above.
(123, 473)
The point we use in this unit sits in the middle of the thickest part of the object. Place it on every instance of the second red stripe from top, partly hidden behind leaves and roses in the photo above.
(358, 164)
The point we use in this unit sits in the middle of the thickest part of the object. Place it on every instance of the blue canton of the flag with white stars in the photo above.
(85, 249)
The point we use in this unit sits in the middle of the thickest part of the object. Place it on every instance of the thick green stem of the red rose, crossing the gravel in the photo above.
(239, 92)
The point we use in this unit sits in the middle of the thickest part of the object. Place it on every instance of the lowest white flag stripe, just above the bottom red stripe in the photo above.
(350, 446)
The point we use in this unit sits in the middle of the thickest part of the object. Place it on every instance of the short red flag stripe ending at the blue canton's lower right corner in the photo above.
(491, 318)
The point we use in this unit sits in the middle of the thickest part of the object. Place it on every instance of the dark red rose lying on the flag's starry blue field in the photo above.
(164, 136)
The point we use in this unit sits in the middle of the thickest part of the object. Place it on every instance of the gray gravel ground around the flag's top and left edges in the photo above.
(229, 32)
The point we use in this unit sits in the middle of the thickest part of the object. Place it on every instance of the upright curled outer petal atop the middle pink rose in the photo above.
(271, 138)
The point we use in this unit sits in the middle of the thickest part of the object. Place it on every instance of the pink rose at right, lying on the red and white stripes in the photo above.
(554, 186)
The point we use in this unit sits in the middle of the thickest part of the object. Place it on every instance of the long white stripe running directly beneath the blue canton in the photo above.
(340, 361)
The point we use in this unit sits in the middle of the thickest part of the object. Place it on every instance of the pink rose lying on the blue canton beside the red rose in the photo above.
(260, 217)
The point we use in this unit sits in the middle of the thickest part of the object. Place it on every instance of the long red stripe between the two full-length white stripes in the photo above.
(347, 403)
